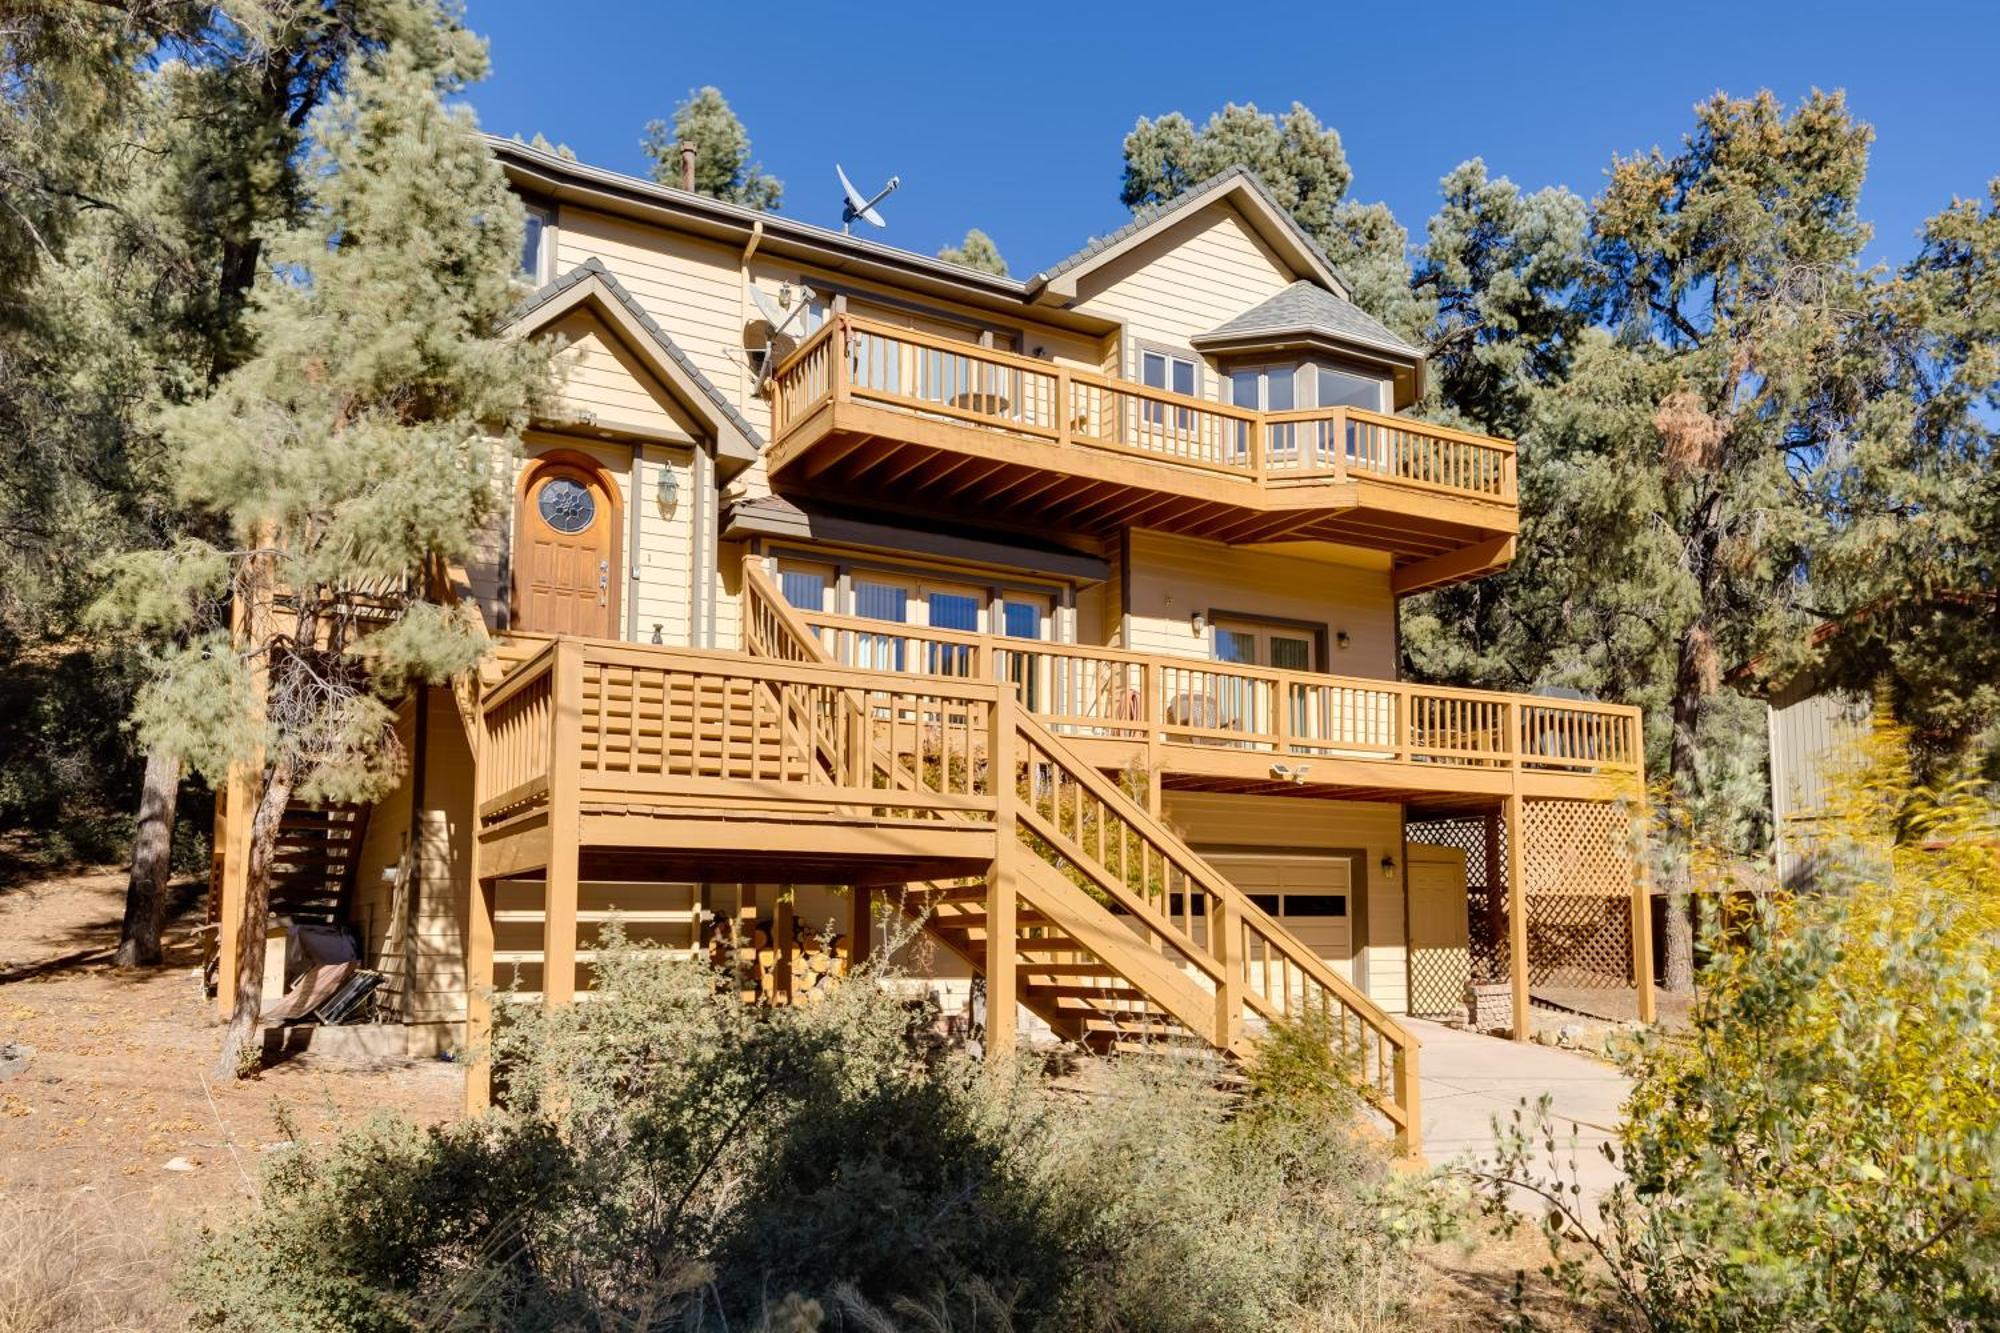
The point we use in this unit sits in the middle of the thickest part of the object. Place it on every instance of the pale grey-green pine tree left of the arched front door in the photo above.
(347, 457)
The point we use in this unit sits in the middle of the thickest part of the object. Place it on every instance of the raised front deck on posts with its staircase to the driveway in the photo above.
(781, 764)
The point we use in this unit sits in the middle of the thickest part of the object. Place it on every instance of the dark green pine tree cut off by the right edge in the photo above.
(1911, 565)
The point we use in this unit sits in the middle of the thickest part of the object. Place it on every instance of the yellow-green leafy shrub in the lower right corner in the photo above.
(1823, 1150)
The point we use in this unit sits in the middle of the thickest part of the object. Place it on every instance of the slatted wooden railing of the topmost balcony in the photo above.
(863, 361)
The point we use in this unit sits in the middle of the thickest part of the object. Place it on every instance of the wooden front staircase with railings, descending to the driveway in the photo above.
(1121, 936)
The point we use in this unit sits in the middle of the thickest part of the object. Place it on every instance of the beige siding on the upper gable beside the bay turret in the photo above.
(1197, 275)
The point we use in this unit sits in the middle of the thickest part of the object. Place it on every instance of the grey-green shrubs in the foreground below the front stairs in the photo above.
(675, 1160)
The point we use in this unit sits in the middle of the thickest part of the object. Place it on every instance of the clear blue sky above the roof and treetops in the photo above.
(1011, 117)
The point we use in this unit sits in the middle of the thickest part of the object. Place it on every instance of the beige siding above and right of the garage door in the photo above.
(1291, 824)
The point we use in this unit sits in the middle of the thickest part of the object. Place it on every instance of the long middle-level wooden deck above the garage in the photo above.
(1259, 730)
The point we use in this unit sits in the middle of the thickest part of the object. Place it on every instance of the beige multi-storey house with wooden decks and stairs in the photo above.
(1059, 613)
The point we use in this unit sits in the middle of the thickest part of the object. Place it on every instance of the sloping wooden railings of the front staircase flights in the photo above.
(1177, 906)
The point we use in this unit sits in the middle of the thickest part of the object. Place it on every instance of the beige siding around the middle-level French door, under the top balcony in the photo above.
(1175, 577)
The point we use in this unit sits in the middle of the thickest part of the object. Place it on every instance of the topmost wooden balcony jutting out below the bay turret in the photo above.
(879, 413)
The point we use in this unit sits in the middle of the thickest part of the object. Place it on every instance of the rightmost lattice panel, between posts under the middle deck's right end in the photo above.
(1579, 866)
